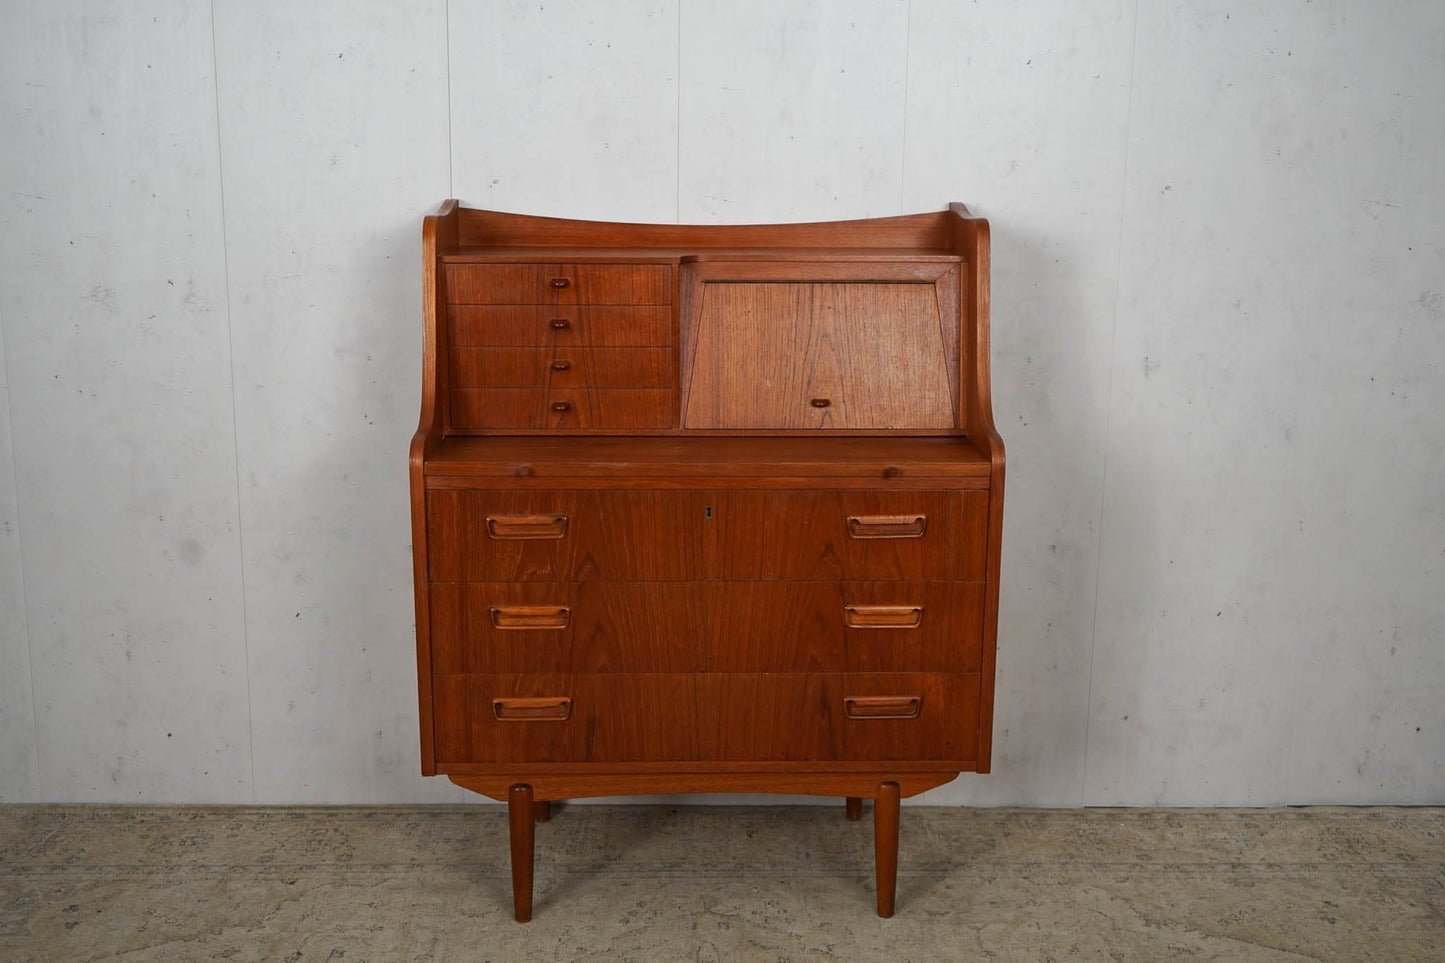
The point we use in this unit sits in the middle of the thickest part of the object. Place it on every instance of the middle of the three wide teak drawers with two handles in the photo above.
(720, 627)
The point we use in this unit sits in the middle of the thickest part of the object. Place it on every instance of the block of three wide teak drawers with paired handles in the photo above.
(678, 625)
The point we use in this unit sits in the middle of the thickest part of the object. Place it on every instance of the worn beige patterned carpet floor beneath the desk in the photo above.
(722, 884)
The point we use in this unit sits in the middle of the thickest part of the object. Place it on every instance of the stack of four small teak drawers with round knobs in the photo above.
(561, 346)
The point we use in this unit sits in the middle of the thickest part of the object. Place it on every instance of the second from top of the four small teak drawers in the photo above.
(561, 326)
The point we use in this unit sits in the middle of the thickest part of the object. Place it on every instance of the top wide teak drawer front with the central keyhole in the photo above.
(676, 536)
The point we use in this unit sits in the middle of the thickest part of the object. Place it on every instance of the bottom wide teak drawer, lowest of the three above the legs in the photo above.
(707, 718)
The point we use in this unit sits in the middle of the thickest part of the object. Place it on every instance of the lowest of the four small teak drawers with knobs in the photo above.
(563, 408)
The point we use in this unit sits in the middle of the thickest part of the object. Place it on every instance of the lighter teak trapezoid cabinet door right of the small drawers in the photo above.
(820, 356)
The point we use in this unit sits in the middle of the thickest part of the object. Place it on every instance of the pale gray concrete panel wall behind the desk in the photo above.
(1219, 333)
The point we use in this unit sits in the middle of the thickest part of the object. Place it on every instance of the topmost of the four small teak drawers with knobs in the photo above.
(558, 284)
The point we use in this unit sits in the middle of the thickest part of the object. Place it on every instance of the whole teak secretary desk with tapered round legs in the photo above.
(706, 510)
